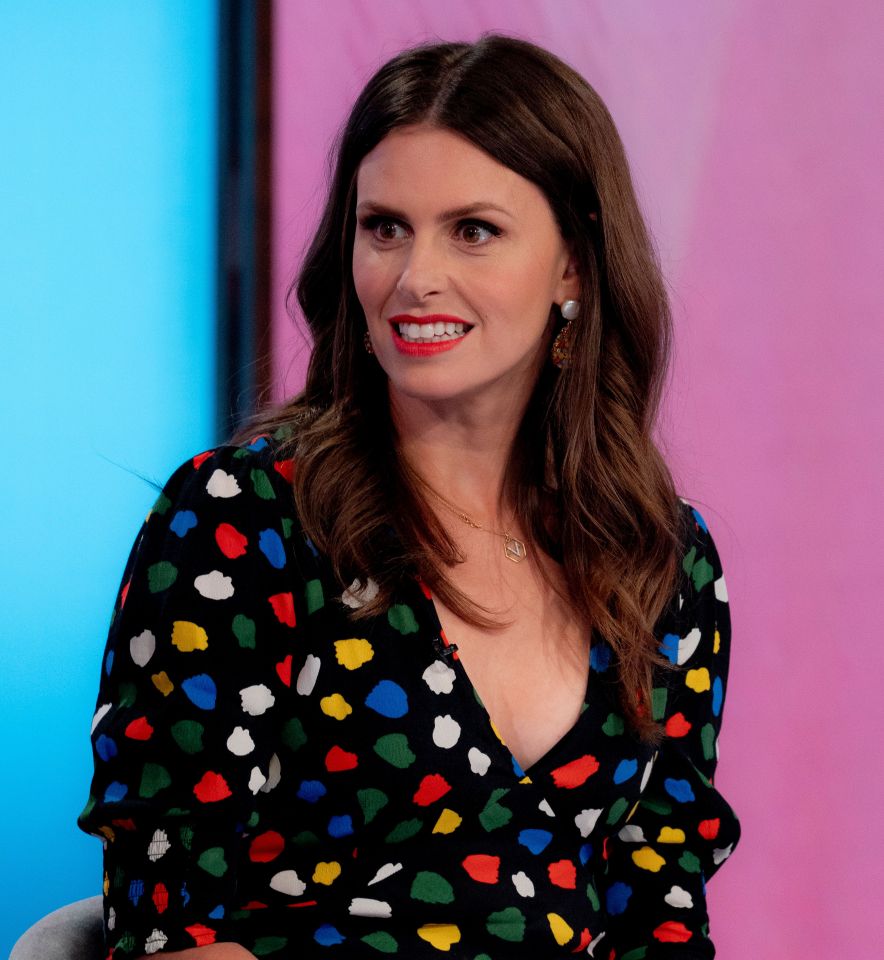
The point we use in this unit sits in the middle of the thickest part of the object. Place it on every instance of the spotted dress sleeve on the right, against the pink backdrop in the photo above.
(682, 829)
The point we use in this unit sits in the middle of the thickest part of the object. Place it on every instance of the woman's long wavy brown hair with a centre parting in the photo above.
(584, 478)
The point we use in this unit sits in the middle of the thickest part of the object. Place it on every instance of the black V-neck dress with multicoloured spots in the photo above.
(271, 772)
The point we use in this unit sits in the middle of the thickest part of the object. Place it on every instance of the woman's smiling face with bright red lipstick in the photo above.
(457, 261)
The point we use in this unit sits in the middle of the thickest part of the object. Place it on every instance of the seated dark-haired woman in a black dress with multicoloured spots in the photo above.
(436, 661)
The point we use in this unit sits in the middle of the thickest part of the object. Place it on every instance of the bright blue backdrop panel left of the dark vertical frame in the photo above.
(107, 327)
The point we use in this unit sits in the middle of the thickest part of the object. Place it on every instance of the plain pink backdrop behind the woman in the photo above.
(755, 131)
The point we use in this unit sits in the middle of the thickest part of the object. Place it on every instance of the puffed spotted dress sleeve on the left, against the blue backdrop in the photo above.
(185, 730)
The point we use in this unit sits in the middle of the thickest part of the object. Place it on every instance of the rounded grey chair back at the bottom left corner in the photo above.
(75, 932)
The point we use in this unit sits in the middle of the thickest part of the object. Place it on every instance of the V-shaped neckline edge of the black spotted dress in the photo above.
(471, 693)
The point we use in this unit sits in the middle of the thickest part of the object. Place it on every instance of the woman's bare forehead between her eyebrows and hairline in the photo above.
(426, 164)
